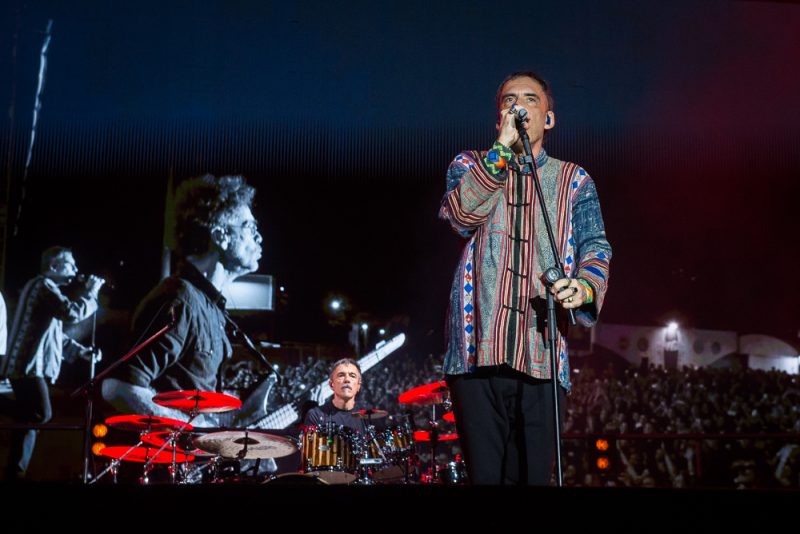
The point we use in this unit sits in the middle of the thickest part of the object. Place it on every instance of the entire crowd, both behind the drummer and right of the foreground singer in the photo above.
(710, 427)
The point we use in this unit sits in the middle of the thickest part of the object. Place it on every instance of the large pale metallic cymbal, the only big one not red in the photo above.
(245, 444)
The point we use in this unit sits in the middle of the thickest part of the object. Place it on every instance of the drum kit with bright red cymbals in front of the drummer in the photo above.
(329, 453)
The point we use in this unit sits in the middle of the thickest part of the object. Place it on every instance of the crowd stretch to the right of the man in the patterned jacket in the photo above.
(732, 427)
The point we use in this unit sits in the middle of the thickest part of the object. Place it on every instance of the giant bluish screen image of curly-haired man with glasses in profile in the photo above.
(217, 241)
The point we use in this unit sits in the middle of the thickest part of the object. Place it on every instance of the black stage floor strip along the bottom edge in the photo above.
(404, 508)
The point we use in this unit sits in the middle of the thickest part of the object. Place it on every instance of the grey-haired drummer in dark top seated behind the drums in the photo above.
(345, 381)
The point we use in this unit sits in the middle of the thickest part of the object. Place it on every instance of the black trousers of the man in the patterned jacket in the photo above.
(505, 425)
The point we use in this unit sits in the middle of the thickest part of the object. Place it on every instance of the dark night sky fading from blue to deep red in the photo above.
(346, 117)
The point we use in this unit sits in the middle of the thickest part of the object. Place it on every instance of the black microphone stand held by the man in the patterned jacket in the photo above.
(527, 163)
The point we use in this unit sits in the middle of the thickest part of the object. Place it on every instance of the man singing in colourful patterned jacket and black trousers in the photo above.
(496, 360)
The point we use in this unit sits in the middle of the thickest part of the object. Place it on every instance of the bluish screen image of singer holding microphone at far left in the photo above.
(37, 345)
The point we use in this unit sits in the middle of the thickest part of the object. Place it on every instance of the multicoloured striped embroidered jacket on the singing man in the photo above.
(497, 301)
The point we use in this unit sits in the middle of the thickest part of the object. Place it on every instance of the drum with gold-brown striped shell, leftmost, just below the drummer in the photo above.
(328, 452)
